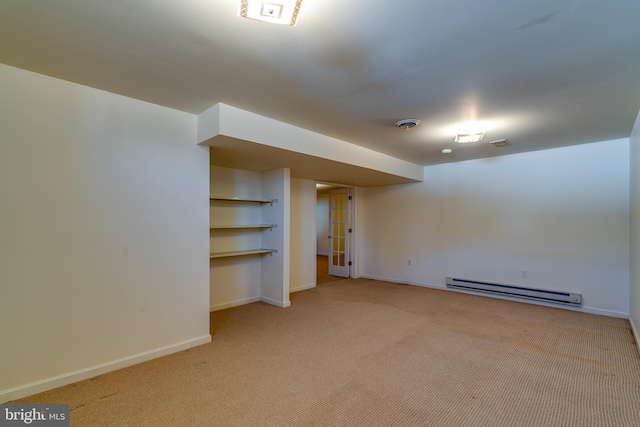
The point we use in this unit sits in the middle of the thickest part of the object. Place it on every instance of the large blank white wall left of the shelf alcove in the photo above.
(103, 246)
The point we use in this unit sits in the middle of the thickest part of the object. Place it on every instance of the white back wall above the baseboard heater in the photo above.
(562, 215)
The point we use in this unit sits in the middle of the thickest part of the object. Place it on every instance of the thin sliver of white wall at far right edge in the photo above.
(634, 294)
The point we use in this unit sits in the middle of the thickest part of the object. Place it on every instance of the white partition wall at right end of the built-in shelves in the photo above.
(275, 268)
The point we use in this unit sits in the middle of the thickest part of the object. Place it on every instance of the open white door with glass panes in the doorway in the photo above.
(339, 233)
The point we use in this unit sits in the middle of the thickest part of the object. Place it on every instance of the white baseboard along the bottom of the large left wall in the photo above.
(83, 374)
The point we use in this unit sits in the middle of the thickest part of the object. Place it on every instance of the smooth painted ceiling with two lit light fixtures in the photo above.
(543, 74)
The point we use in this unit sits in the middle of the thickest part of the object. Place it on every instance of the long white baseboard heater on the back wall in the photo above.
(515, 291)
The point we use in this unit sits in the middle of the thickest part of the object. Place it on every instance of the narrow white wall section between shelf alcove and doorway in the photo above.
(303, 235)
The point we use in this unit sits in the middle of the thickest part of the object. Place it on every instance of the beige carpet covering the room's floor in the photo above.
(366, 353)
